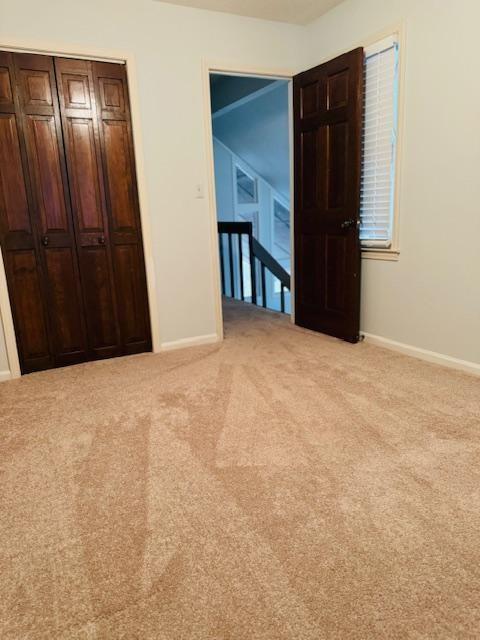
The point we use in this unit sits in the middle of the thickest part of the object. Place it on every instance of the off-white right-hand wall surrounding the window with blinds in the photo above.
(430, 298)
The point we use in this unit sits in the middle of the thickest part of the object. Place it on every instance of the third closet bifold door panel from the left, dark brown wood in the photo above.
(82, 149)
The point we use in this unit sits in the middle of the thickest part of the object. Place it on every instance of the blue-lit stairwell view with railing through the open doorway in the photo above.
(251, 130)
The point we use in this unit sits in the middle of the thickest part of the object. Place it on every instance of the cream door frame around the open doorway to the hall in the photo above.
(232, 69)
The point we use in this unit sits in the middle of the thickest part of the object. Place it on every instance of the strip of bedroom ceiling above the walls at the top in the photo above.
(293, 11)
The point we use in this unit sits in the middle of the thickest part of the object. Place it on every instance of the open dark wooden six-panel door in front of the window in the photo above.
(328, 103)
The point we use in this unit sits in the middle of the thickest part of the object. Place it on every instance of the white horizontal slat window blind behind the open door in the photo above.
(379, 144)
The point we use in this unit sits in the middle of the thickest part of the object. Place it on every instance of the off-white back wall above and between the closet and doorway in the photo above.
(169, 44)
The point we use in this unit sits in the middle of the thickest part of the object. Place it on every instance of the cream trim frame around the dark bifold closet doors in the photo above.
(91, 53)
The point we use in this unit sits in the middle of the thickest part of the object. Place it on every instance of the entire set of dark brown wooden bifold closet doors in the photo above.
(69, 215)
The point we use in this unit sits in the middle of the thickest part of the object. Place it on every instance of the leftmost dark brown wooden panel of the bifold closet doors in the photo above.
(18, 240)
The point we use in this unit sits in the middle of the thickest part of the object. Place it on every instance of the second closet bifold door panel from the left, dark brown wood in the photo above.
(37, 94)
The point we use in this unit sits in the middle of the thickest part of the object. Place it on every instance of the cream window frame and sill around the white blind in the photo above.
(391, 253)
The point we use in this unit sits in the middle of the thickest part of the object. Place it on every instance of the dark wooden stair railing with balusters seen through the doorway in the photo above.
(256, 252)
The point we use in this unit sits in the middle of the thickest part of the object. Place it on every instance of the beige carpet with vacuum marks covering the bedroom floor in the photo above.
(281, 485)
